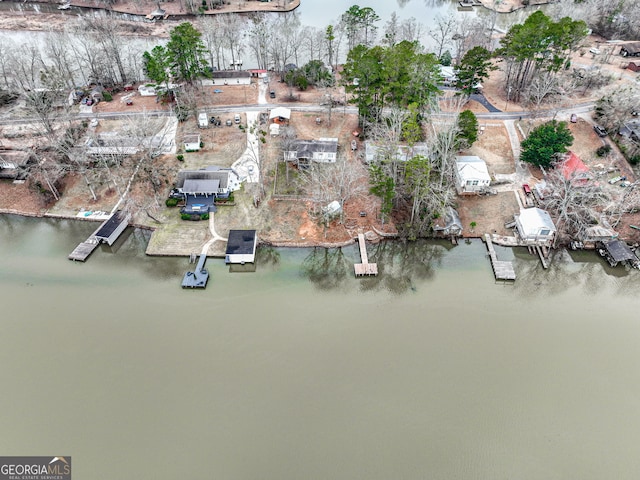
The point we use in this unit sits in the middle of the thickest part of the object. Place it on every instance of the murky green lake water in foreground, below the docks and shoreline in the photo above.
(300, 371)
